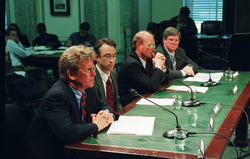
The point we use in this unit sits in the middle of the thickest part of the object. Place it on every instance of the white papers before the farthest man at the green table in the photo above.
(203, 77)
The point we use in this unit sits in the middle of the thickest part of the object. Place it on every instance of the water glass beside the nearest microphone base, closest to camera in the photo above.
(179, 138)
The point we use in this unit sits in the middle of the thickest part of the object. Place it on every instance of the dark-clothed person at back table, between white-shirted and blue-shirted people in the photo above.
(45, 39)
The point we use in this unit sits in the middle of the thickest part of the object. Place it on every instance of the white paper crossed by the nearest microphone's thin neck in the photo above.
(160, 101)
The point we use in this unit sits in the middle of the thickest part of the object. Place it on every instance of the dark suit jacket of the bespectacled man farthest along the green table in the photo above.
(179, 63)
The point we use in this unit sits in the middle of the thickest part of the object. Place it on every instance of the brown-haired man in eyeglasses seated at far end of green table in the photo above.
(178, 63)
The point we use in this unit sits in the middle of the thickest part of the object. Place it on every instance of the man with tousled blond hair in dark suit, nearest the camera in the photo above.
(70, 110)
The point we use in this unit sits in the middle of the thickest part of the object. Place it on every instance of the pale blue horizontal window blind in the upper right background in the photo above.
(205, 10)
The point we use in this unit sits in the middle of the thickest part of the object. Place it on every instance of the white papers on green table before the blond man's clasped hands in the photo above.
(132, 125)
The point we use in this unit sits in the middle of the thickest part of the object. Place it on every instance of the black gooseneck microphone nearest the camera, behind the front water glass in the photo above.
(169, 133)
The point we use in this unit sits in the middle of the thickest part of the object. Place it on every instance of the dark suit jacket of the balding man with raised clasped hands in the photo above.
(133, 75)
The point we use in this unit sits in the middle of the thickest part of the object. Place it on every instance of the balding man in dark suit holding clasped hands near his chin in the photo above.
(140, 71)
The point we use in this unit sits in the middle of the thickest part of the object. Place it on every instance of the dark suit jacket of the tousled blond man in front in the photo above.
(57, 121)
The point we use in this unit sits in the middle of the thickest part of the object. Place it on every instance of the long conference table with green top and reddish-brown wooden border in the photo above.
(229, 119)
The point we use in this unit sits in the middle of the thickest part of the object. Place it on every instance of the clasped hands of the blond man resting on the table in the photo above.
(102, 119)
